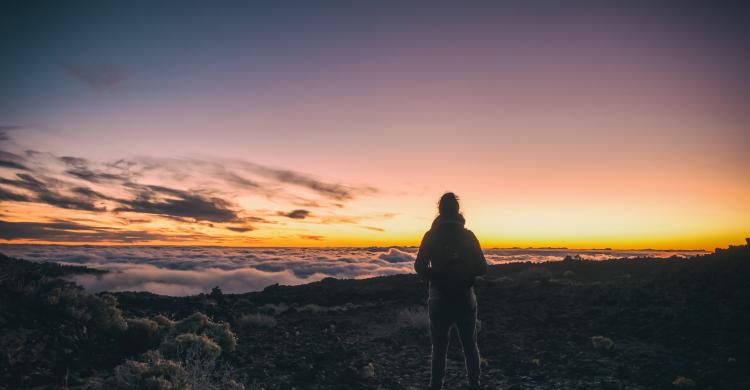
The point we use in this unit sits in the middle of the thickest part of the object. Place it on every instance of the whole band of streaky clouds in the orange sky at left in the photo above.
(145, 199)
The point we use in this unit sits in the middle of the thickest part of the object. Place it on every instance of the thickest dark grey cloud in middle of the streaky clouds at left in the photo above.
(171, 202)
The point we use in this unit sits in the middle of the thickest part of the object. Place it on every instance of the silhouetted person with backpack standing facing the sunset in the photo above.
(450, 258)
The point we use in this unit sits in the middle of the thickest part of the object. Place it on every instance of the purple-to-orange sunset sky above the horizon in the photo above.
(586, 124)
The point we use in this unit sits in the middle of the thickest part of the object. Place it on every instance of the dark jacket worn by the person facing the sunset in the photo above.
(432, 250)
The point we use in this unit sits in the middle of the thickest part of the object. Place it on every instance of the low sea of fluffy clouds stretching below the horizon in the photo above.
(187, 270)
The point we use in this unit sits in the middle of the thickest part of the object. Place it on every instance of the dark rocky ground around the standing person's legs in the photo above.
(618, 324)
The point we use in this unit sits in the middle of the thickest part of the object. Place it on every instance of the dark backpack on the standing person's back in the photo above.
(452, 266)
